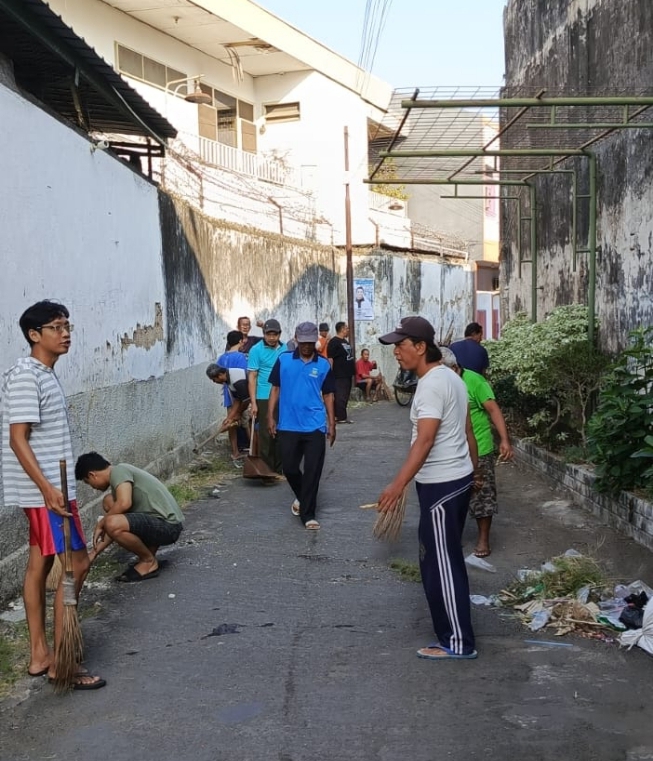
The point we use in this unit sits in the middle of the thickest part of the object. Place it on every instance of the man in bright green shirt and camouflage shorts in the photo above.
(484, 412)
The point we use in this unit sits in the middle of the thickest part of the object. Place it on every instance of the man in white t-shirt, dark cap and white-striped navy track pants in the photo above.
(442, 459)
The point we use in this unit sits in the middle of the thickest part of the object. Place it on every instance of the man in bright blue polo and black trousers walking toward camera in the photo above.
(303, 387)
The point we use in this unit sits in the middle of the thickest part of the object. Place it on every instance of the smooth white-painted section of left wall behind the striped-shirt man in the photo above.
(73, 215)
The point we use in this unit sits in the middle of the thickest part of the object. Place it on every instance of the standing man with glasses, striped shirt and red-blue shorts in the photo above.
(35, 438)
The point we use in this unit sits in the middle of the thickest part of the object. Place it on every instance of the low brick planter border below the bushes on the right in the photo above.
(627, 513)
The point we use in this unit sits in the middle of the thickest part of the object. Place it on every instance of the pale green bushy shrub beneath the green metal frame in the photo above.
(546, 374)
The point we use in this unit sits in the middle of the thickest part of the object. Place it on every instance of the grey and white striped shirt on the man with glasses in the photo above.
(31, 393)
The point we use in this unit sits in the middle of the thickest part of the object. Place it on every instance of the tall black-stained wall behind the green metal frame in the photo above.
(587, 47)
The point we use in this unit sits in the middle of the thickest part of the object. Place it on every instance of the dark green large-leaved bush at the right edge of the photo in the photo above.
(621, 430)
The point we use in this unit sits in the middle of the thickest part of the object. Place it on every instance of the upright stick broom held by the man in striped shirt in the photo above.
(70, 649)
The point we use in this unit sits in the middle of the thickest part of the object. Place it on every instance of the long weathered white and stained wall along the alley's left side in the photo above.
(153, 286)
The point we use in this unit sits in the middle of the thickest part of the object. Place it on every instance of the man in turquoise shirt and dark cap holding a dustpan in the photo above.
(260, 361)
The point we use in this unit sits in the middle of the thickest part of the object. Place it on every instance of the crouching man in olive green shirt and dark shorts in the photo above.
(141, 514)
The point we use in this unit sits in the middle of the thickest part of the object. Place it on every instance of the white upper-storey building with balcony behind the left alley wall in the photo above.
(277, 105)
